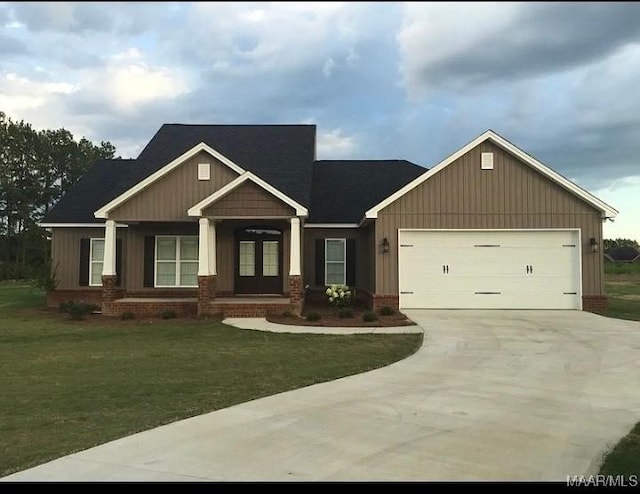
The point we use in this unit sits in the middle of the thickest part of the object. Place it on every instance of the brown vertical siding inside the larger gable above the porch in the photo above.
(169, 198)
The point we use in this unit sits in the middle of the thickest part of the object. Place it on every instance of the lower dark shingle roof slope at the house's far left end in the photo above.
(94, 189)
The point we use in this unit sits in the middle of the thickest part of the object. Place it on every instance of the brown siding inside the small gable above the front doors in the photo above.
(249, 199)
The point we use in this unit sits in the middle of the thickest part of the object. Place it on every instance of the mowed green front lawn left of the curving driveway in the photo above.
(70, 385)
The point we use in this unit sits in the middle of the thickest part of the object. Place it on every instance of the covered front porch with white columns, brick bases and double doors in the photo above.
(233, 267)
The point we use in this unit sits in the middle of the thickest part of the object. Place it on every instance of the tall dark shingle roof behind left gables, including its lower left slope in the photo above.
(282, 155)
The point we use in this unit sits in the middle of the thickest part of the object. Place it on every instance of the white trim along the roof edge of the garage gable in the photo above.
(607, 211)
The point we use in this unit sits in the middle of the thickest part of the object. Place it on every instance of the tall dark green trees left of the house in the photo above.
(36, 169)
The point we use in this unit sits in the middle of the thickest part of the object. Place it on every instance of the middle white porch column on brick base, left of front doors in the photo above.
(206, 266)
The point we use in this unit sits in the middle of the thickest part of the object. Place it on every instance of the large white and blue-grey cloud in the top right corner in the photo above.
(462, 45)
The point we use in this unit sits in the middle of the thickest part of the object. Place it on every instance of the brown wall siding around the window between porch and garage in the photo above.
(363, 253)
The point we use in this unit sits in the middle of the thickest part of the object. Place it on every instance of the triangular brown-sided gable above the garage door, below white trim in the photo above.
(512, 187)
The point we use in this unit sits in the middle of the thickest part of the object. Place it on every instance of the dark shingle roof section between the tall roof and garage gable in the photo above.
(344, 190)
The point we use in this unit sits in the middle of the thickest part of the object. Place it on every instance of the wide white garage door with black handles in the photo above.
(489, 269)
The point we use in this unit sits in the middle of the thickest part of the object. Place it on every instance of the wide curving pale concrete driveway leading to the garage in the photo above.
(532, 395)
